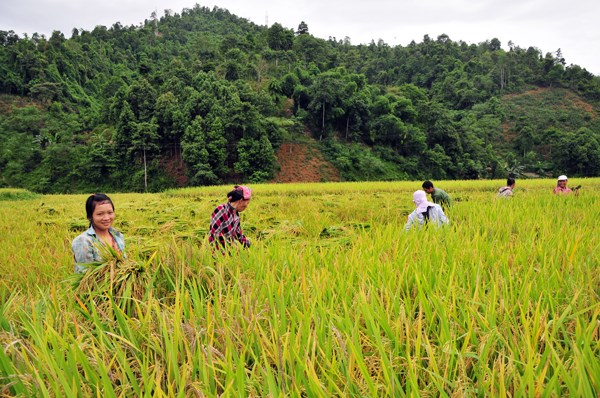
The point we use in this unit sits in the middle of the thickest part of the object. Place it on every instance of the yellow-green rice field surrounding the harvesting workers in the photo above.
(333, 298)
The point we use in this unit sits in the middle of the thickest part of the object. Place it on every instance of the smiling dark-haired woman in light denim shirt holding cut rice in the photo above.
(101, 214)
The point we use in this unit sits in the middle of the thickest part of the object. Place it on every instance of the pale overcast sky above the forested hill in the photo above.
(573, 26)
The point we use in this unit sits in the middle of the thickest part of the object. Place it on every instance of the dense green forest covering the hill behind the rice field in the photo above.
(205, 97)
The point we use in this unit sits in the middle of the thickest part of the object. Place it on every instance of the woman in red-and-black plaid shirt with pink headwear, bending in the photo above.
(225, 229)
